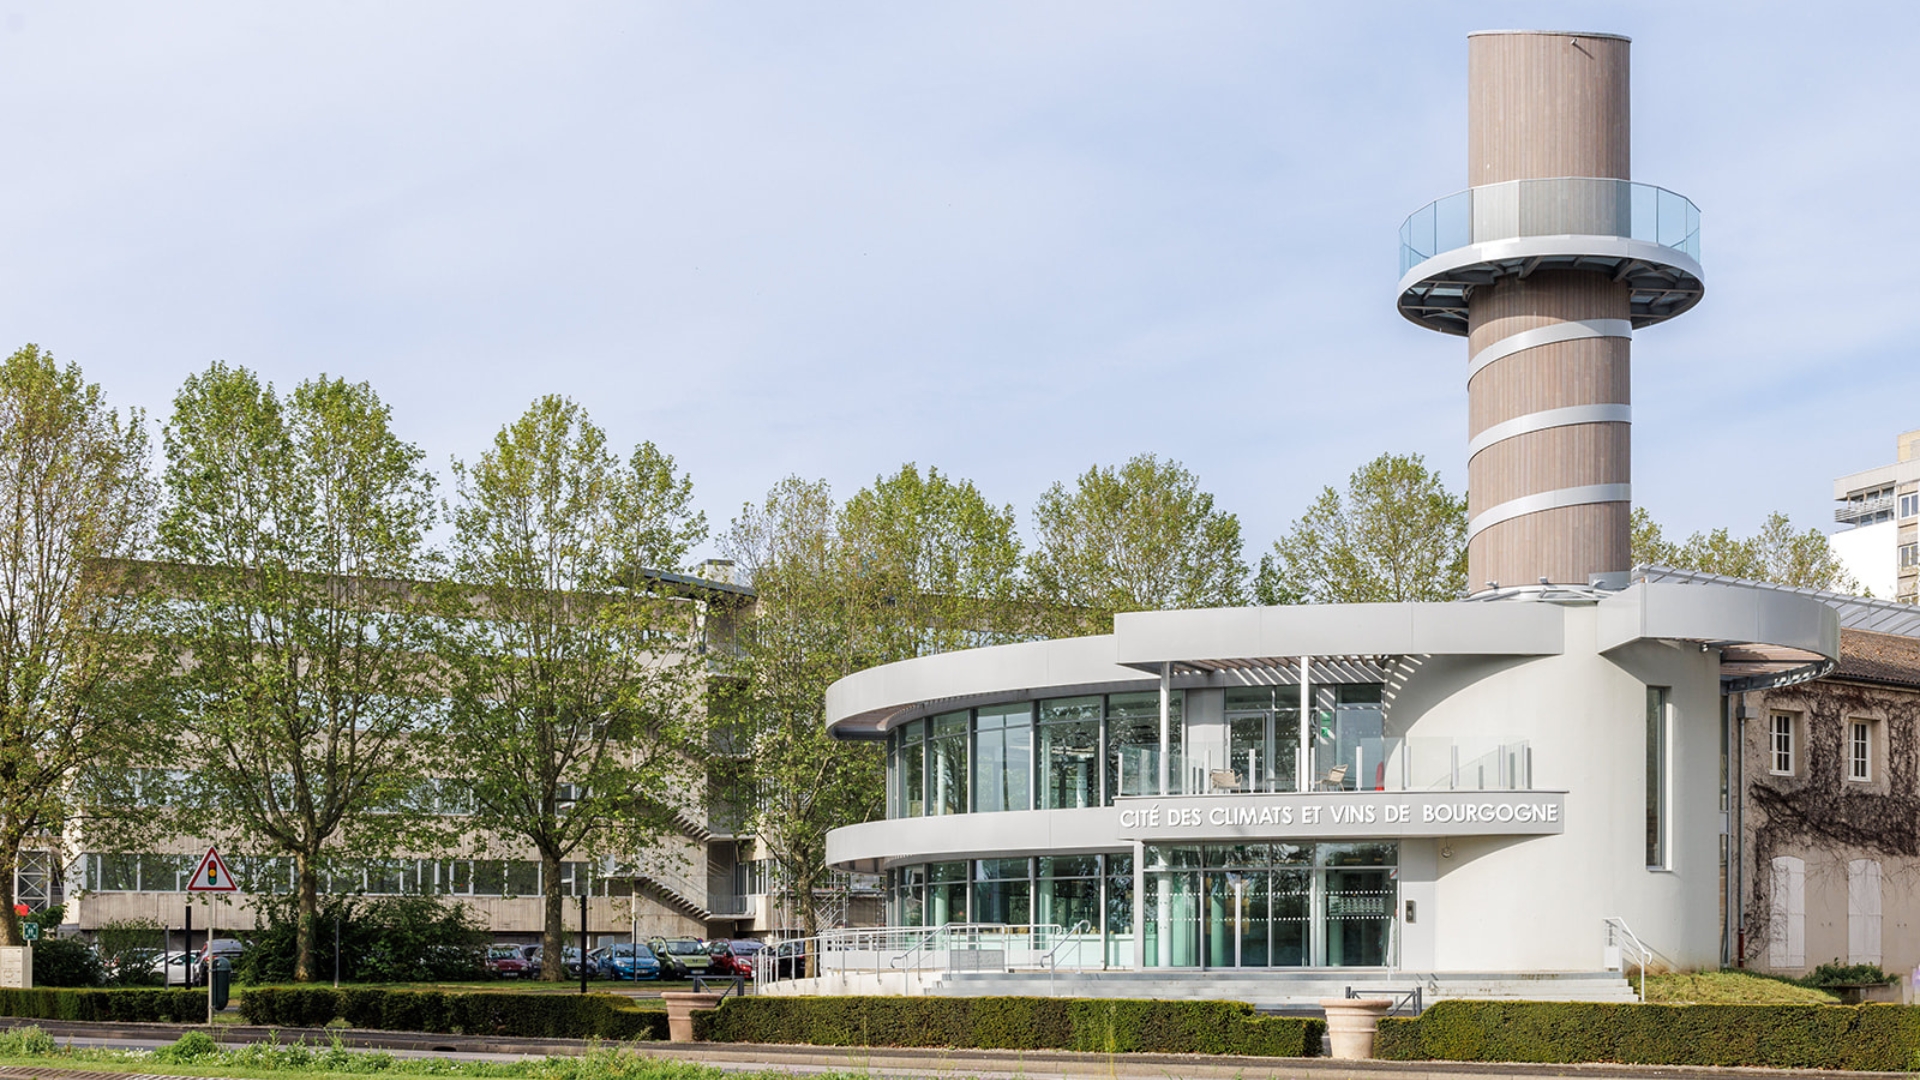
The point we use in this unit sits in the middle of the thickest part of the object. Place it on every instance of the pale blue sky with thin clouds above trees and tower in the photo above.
(1007, 241)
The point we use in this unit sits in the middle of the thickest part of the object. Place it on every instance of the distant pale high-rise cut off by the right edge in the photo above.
(1881, 510)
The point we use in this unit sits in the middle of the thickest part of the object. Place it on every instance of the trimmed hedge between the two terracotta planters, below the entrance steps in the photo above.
(1013, 1023)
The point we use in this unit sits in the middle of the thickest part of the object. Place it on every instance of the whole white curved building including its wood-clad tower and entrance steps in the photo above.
(1278, 802)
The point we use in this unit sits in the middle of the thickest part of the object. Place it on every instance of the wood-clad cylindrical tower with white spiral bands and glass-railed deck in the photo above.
(1548, 264)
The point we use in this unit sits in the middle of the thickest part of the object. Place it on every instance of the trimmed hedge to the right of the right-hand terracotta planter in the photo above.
(1884, 1039)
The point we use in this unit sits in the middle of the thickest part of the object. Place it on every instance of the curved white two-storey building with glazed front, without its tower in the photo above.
(1479, 785)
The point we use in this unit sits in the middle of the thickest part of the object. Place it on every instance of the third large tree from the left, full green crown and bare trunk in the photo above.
(577, 683)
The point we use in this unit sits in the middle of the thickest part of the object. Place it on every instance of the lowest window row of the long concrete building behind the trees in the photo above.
(373, 877)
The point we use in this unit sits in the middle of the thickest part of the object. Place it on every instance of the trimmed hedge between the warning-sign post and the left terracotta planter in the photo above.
(527, 1016)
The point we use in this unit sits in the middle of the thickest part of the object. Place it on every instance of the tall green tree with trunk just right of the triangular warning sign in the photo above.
(302, 699)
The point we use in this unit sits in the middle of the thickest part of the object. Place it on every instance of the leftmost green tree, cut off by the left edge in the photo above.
(76, 506)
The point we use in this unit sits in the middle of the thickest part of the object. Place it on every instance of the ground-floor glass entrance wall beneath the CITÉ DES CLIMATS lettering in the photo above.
(1272, 904)
